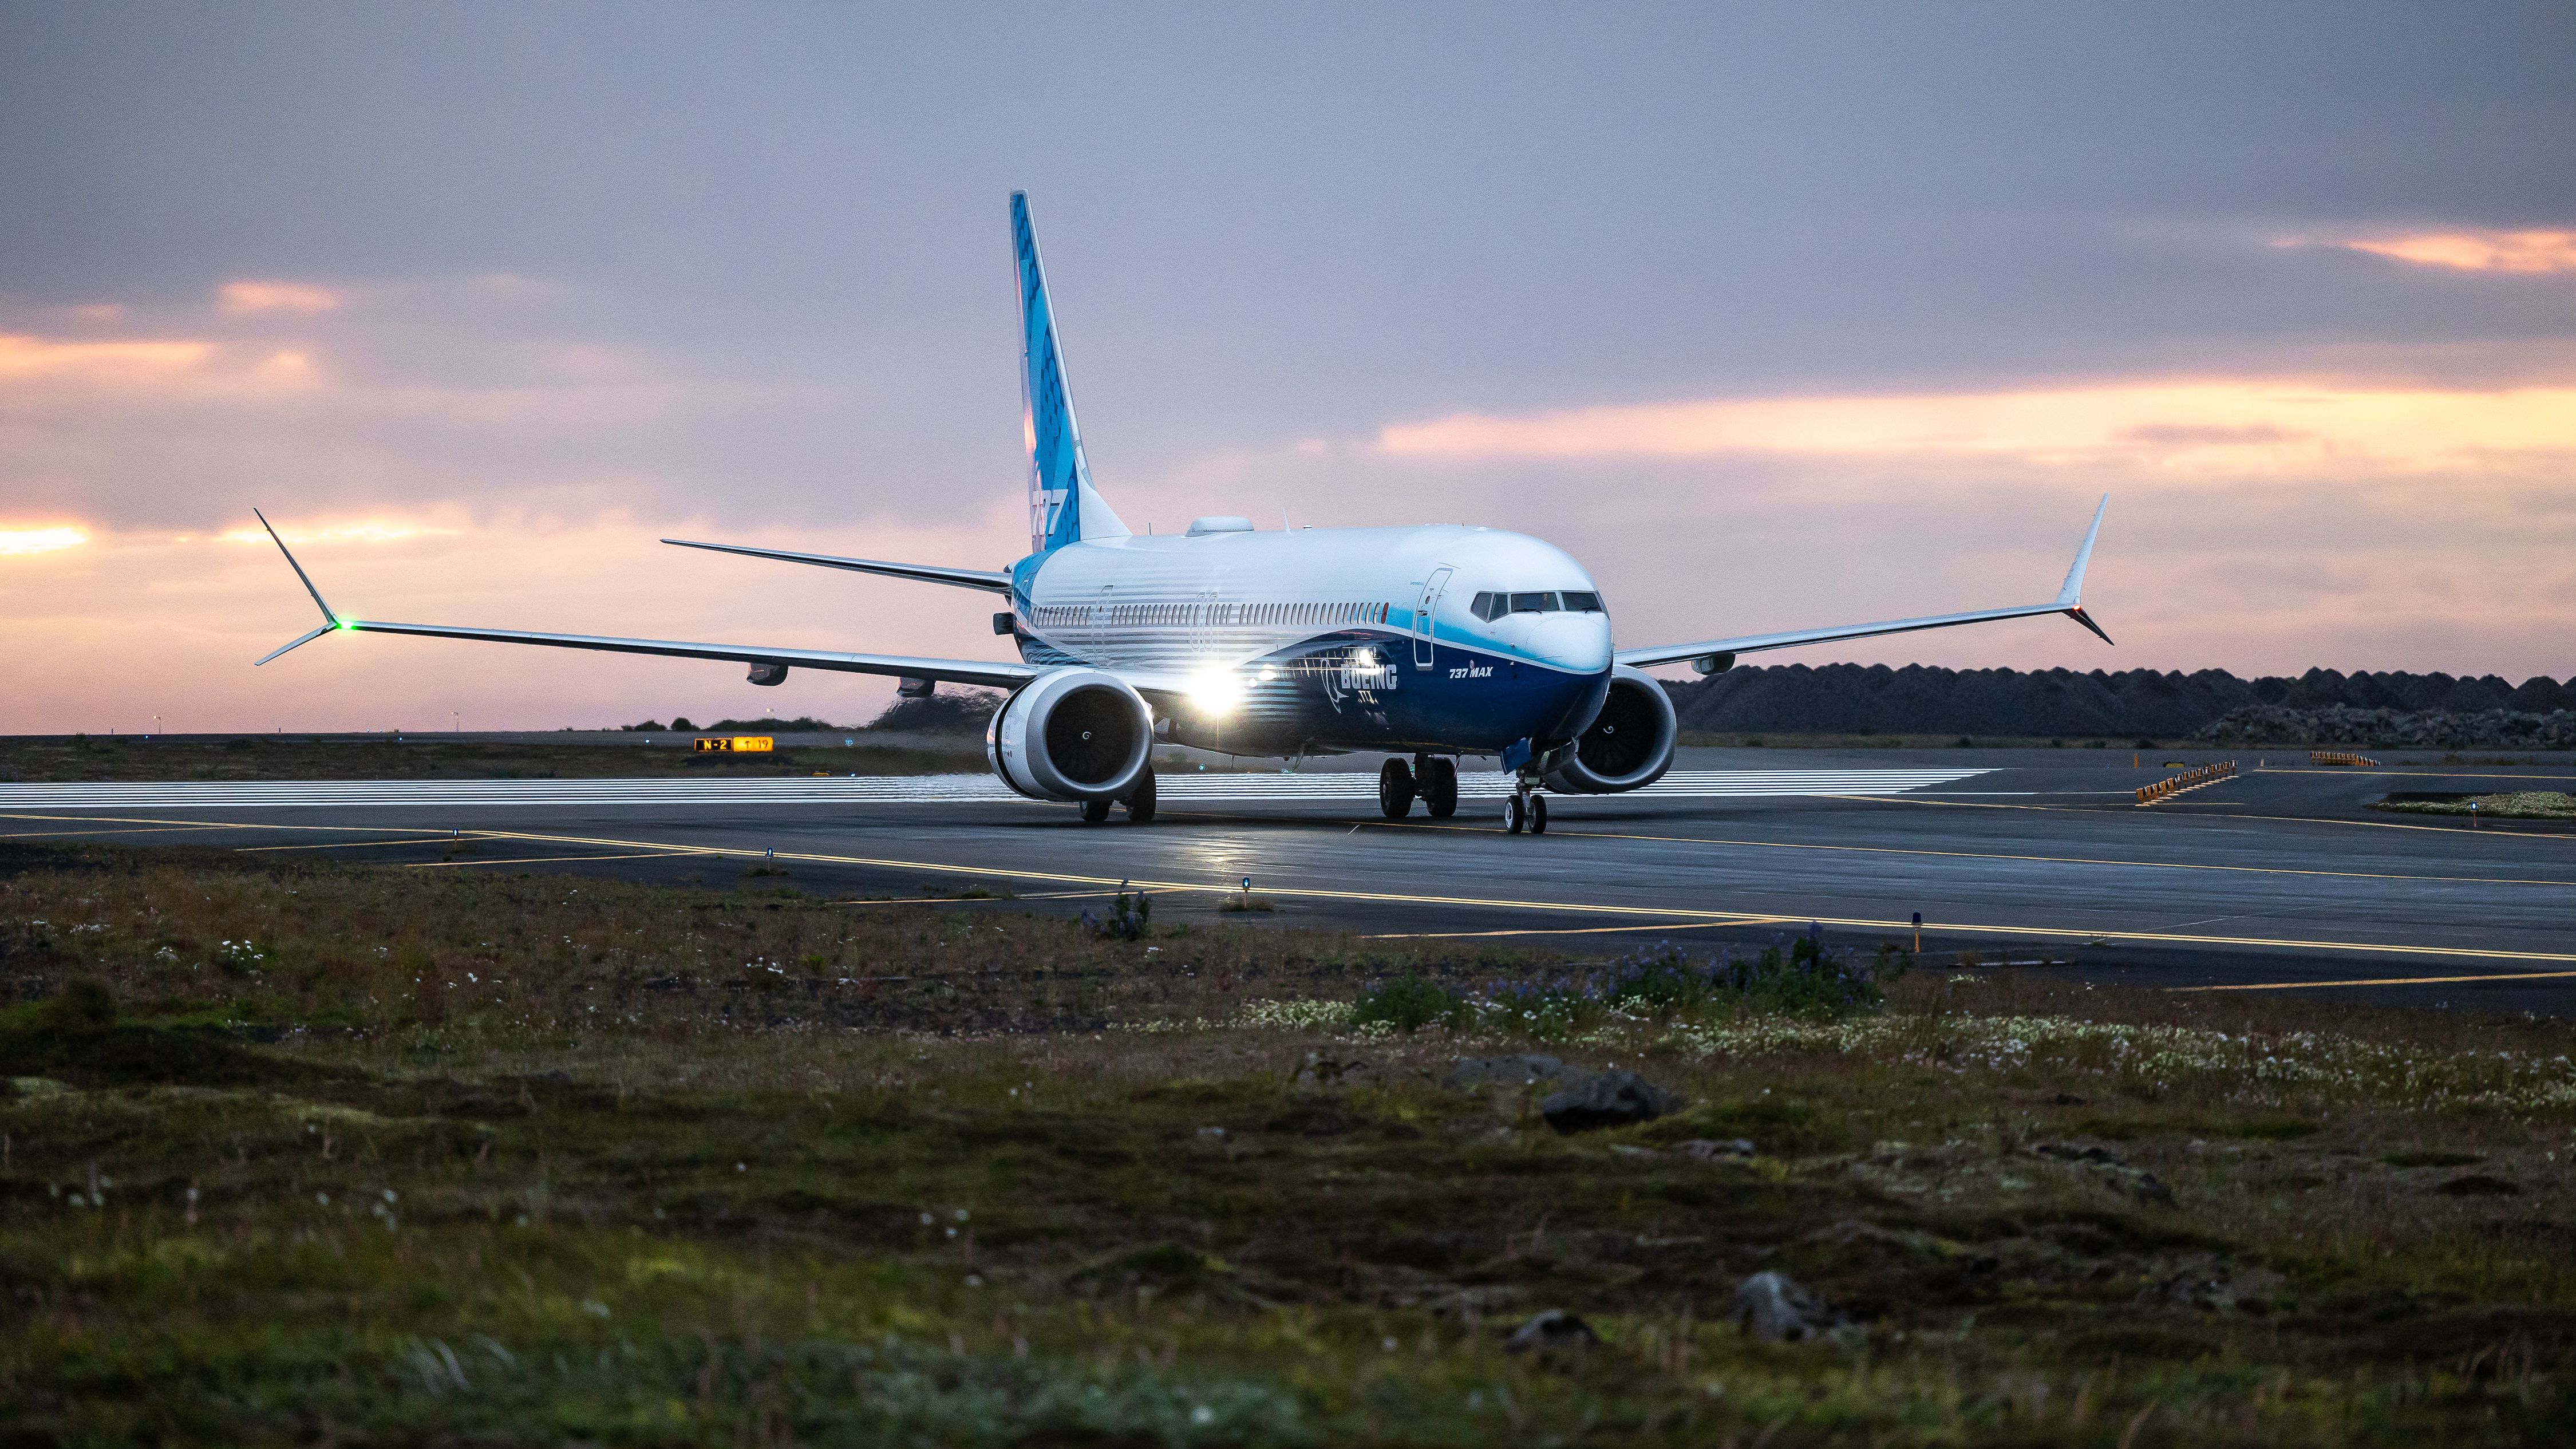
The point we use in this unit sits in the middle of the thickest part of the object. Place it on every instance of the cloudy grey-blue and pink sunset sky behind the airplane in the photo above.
(1774, 316)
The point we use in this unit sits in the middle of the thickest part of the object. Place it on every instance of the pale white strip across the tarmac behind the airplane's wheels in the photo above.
(875, 790)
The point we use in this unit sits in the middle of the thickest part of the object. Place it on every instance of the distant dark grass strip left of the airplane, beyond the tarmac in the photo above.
(292, 757)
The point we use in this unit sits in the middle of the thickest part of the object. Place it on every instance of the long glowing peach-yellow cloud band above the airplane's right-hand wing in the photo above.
(2235, 427)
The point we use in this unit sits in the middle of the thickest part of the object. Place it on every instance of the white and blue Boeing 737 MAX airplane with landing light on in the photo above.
(1431, 641)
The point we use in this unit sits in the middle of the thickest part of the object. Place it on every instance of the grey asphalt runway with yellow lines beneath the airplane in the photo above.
(2273, 880)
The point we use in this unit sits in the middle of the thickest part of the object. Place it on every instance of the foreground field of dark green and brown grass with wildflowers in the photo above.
(339, 1154)
